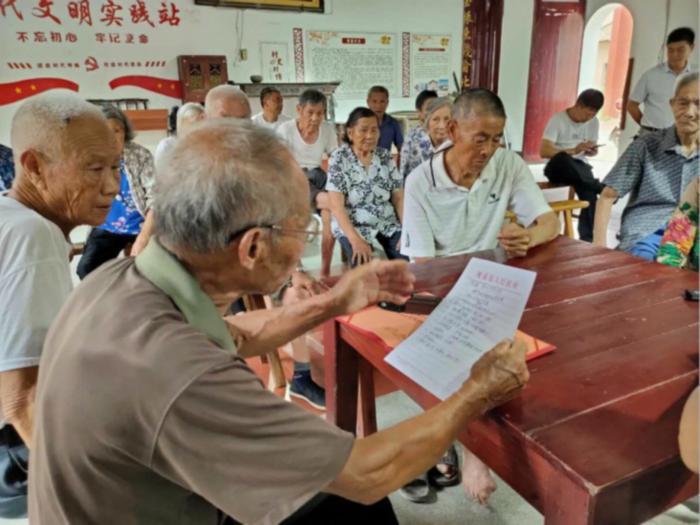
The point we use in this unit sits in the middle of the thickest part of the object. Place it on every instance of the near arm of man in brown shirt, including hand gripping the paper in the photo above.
(387, 460)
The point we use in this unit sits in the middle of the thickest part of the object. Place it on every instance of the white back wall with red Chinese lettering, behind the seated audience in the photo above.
(208, 30)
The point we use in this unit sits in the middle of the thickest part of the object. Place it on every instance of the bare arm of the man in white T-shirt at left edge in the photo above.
(17, 391)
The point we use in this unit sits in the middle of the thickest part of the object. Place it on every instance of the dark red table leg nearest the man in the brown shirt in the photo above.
(341, 370)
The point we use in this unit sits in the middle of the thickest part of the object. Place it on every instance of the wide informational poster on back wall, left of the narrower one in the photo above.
(358, 60)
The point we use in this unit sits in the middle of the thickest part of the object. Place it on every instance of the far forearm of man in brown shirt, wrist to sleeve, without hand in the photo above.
(260, 331)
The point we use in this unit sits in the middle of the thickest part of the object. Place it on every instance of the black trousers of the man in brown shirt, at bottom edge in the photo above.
(325, 509)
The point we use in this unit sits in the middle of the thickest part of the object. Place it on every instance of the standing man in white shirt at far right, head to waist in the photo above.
(655, 87)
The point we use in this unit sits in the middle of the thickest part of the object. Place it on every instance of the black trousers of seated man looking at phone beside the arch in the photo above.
(564, 169)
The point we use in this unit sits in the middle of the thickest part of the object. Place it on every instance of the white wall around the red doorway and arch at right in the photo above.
(647, 38)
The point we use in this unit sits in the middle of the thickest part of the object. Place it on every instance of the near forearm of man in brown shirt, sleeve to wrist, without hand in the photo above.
(385, 461)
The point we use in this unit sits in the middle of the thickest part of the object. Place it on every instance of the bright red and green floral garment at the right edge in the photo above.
(679, 245)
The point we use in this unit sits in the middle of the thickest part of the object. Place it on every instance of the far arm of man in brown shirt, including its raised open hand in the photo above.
(258, 332)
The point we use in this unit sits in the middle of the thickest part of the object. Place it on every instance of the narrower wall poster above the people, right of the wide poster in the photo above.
(430, 63)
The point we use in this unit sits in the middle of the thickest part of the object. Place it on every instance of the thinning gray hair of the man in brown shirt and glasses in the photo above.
(223, 176)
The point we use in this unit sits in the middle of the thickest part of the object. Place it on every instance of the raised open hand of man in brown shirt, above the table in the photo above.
(371, 283)
